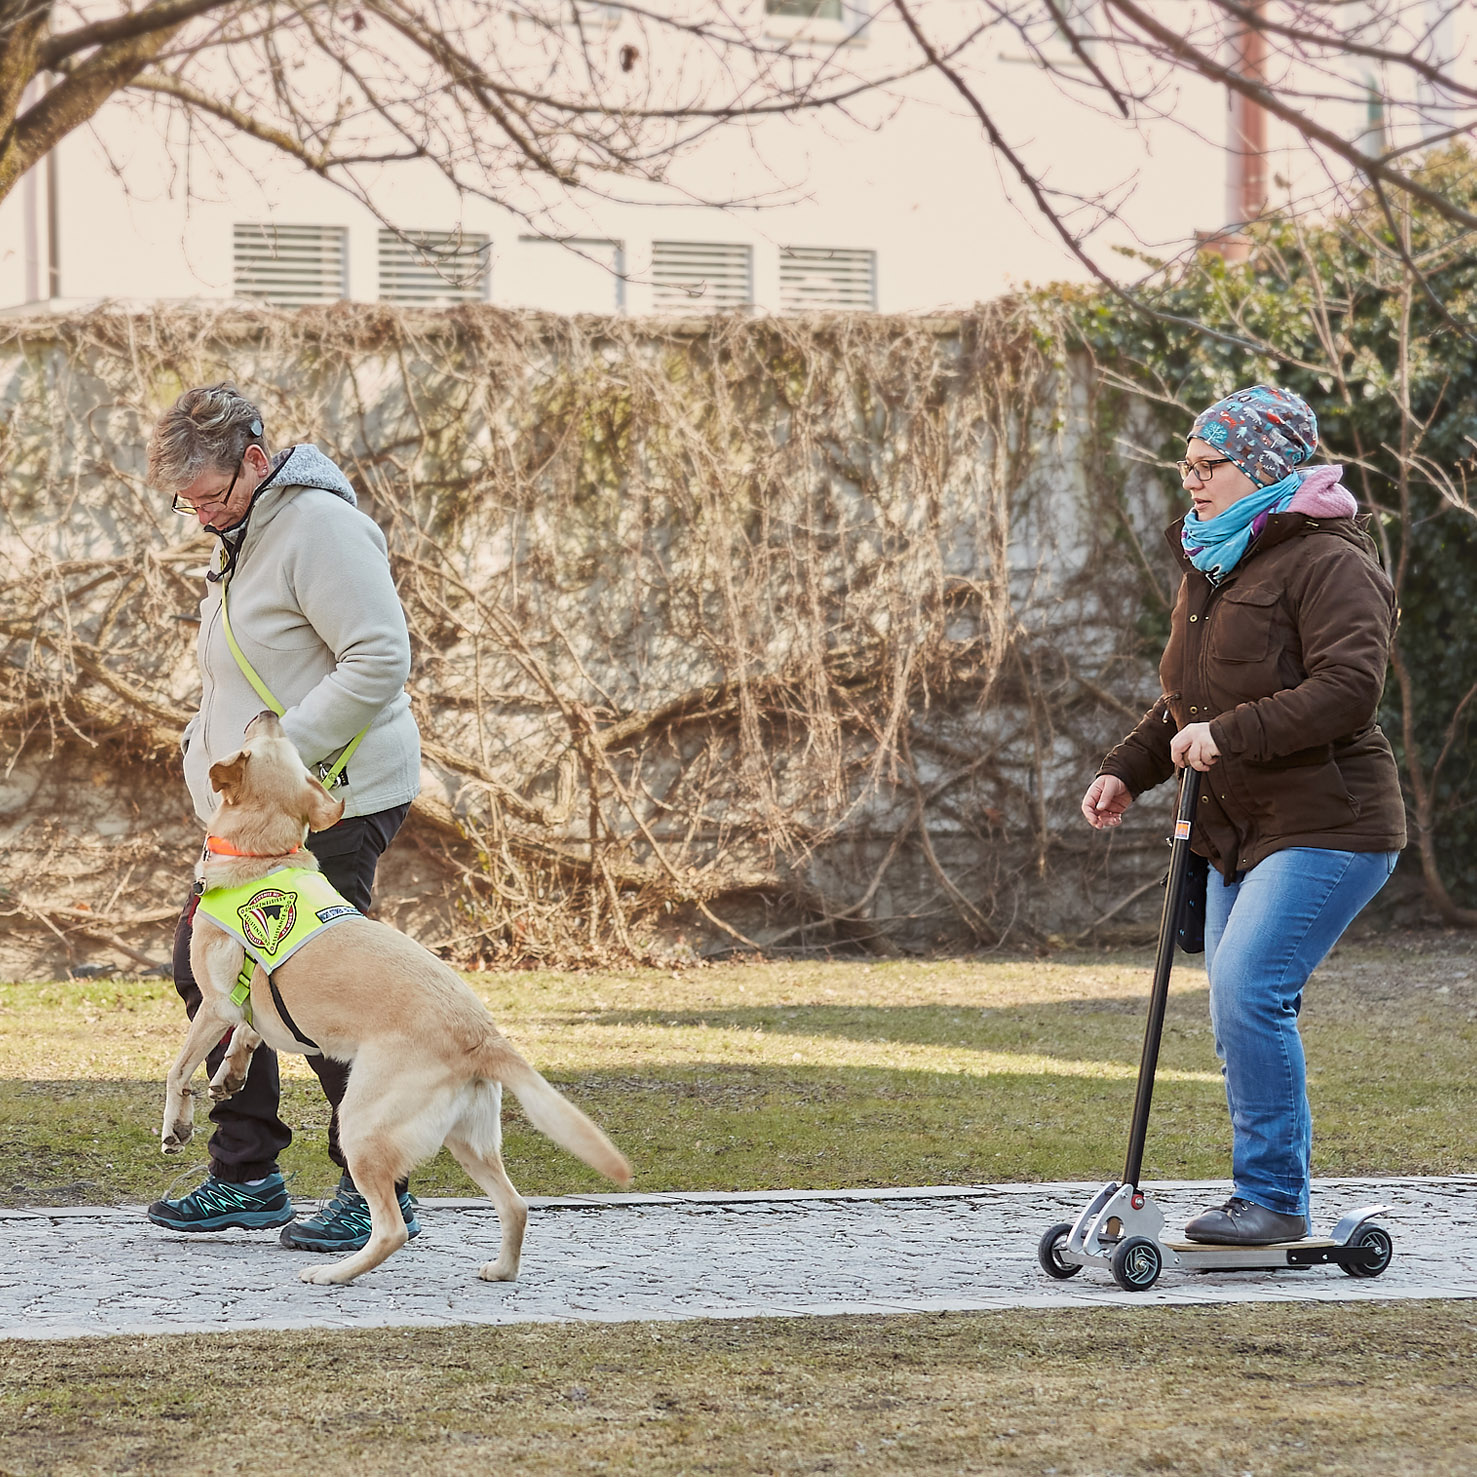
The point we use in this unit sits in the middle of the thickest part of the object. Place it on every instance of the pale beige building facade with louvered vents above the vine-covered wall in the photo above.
(900, 205)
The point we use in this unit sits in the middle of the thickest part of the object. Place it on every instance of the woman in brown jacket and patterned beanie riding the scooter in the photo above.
(1277, 659)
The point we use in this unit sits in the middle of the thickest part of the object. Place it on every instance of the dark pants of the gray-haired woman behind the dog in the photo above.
(250, 1132)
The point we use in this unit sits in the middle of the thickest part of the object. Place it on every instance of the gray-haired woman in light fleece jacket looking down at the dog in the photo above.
(301, 597)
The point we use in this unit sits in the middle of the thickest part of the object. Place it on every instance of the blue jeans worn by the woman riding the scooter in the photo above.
(1264, 937)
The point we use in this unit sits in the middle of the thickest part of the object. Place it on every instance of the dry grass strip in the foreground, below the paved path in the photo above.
(1275, 1391)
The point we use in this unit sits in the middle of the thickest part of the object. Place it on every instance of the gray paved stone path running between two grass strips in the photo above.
(621, 1258)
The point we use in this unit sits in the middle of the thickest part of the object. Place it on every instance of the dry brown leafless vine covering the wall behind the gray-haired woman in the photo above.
(750, 631)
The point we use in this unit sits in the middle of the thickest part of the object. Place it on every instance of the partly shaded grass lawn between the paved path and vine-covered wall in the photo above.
(813, 1076)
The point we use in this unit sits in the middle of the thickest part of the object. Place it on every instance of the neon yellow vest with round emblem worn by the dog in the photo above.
(273, 919)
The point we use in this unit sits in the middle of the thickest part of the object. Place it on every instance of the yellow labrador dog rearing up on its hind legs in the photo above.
(429, 1064)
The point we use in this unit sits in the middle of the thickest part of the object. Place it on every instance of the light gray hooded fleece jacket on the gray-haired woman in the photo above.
(315, 612)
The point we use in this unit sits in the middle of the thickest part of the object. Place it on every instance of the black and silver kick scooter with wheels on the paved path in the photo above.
(1122, 1230)
